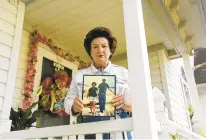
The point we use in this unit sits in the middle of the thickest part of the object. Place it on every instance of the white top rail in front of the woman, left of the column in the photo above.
(72, 130)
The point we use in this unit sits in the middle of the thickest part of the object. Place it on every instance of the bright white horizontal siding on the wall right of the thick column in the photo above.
(176, 95)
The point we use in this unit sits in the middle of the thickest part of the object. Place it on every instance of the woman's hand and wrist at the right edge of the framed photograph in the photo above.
(119, 102)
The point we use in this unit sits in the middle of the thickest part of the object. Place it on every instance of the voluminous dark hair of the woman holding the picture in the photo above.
(100, 32)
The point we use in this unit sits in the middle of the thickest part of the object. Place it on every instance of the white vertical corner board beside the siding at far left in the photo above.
(13, 62)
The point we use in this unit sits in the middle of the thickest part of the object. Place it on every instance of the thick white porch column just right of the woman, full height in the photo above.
(139, 73)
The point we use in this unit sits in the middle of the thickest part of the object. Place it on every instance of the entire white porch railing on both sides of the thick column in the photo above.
(164, 126)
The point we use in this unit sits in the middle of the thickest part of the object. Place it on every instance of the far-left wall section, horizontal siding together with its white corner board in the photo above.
(11, 25)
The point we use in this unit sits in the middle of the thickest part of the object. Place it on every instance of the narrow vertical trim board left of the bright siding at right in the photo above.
(165, 82)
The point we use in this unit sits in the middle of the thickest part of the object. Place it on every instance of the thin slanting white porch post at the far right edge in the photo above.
(193, 91)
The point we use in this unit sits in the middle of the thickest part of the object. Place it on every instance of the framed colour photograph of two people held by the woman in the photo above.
(98, 91)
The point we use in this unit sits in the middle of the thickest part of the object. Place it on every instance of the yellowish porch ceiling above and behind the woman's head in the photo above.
(68, 21)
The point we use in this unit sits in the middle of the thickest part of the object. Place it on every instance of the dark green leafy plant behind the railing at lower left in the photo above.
(24, 119)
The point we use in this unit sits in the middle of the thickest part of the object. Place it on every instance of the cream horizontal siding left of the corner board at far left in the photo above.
(8, 17)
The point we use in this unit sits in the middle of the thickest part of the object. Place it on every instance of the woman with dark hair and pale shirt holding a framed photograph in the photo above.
(100, 45)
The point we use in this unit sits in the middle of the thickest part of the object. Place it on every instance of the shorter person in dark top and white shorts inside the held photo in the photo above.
(92, 95)
